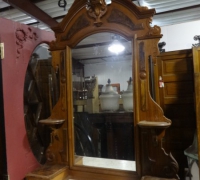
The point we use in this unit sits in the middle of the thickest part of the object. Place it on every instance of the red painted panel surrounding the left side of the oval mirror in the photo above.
(19, 43)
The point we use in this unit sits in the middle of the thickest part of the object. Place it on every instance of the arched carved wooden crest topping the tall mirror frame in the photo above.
(121, 17)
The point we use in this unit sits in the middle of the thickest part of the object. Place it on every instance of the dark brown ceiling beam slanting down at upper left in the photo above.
(32, 10)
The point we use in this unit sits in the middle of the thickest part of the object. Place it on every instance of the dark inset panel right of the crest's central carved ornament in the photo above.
(118, 17)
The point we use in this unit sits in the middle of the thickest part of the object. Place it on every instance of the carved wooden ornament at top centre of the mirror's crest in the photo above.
(96, 9)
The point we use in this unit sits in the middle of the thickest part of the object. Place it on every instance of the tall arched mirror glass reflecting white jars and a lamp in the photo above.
(103, 102)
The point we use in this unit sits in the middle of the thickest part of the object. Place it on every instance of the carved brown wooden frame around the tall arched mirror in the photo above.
(122, 17)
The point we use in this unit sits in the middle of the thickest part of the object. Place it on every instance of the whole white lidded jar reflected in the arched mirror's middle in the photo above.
(109, 99)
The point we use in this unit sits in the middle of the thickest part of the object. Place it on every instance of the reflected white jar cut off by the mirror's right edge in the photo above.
(127, 97)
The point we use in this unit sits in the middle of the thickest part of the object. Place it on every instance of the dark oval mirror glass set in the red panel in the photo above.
(40, 95)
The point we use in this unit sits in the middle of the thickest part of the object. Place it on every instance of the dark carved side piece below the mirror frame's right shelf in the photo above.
(161, 163)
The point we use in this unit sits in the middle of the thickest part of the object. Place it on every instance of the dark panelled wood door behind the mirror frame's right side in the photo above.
(177, 101)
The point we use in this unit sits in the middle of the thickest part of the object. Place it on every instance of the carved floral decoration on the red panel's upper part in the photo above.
(22, 36)
